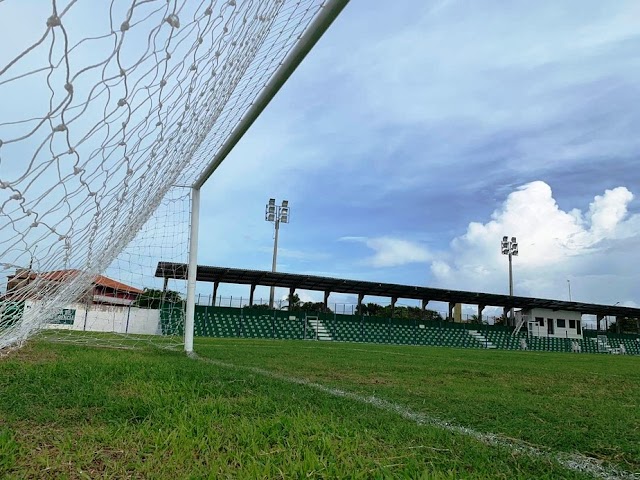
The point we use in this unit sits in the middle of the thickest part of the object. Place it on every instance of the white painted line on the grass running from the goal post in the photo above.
(571, 461)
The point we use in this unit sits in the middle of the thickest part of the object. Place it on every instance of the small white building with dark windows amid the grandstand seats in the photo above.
(544, 322)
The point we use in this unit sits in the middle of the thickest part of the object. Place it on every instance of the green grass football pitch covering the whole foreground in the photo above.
(293, 409)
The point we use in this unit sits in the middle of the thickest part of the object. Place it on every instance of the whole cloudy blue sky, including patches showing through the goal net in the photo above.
(411, 139)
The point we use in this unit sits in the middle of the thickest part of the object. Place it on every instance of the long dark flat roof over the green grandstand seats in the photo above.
(336, 285)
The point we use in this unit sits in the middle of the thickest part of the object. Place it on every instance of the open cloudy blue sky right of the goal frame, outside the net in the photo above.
(416, 134)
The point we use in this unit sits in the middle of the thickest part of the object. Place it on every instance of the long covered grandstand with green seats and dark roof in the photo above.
(561, 321)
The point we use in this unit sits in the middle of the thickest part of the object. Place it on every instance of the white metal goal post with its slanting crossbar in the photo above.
(330, 10)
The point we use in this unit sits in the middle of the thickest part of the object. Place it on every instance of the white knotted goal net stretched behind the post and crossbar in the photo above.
(106, 109)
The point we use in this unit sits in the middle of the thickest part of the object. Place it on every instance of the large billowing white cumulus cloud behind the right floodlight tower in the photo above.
(595, 248)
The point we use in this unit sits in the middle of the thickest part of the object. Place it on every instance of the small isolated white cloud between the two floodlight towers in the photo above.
(392, 252)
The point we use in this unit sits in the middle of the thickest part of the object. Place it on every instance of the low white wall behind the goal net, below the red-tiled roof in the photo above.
(106, 318)
